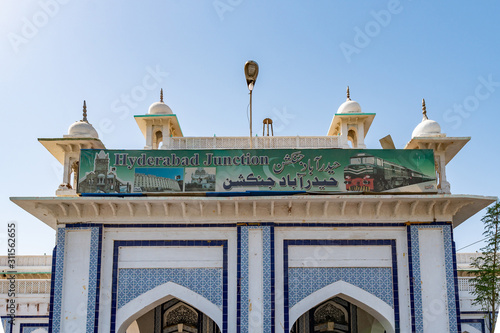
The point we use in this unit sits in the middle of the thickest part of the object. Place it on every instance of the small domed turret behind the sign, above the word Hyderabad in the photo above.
(158, 125)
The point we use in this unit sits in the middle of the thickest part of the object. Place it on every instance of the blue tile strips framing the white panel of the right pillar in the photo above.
(418, 320)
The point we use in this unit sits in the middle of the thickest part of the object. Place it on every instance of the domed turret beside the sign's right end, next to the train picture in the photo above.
(427, 135)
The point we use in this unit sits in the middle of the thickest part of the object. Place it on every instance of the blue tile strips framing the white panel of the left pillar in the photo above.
(94, 278)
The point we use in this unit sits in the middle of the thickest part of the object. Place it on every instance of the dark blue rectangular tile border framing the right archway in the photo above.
(342, 242)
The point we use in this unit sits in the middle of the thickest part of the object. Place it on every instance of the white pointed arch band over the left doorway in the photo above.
(159, 295)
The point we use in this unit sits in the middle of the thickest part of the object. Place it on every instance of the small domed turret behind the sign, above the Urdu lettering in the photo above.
(350, 124)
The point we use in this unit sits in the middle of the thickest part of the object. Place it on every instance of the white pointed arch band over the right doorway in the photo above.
(370, 303)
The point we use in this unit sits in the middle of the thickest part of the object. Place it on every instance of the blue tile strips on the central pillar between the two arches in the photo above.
(268, 277)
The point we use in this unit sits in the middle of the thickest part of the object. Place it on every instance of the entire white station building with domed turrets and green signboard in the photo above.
(299, 234)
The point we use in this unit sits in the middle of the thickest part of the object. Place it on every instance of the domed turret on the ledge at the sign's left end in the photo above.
(81, 135)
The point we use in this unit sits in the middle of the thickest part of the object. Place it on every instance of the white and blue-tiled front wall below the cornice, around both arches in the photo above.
(255, 278)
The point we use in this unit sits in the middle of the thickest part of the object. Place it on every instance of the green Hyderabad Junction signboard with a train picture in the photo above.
(245, 170)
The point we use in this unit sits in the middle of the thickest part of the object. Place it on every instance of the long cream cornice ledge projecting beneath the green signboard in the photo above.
(299, 208)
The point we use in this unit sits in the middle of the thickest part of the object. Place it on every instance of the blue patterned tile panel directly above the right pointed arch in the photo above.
(302, 282)
